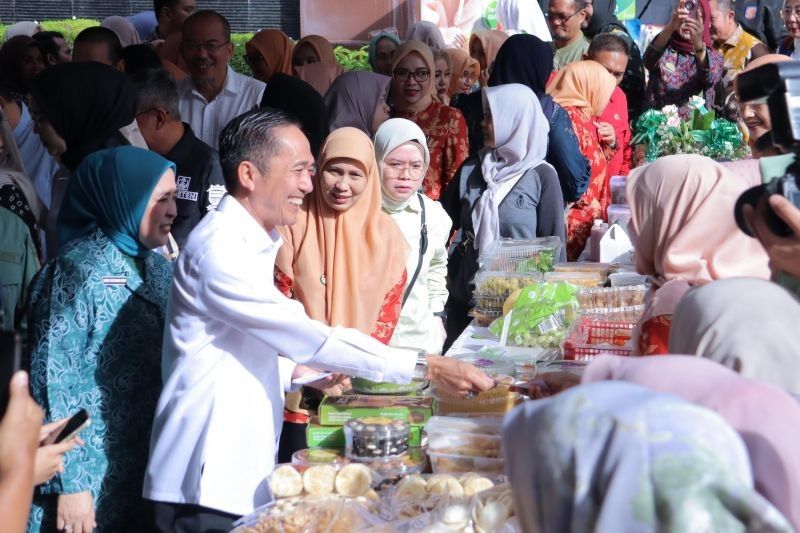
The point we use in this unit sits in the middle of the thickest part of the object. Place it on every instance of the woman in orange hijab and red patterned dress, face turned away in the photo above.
(583, 89)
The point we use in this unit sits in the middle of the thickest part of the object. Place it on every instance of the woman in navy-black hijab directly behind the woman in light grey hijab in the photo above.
(528, 60)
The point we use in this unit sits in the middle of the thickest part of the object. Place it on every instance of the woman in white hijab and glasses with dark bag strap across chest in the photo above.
(403, 158)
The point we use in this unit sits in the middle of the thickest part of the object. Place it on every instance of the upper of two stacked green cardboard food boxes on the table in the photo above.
(336, 410)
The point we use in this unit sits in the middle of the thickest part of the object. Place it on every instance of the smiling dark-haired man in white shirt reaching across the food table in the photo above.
(220, 414)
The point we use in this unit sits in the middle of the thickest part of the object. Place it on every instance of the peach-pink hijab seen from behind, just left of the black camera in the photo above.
(682, 222)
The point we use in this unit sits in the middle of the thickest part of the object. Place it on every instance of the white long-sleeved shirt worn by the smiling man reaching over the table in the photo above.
(220, 413)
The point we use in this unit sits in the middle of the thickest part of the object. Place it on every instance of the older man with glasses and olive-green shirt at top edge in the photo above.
(565, 18)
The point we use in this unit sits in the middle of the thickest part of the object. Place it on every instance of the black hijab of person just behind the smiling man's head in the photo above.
(299, 99)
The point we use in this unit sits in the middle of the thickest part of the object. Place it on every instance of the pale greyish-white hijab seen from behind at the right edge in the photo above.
(748, 325)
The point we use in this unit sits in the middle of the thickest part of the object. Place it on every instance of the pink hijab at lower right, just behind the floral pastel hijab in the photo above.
(767, 419)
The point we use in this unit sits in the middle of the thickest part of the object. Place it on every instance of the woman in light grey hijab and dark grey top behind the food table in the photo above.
(507, 190)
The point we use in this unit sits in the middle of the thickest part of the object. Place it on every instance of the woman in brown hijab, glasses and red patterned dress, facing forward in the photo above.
(413, 98)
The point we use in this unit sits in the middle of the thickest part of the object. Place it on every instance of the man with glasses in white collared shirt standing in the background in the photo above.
(213, 94)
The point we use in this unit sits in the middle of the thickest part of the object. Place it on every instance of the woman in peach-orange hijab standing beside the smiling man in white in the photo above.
(344, 259)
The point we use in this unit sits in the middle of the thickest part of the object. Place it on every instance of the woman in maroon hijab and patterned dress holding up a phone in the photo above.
(681, 60)
